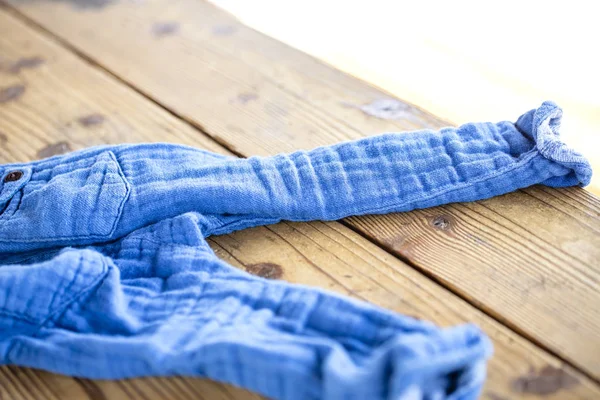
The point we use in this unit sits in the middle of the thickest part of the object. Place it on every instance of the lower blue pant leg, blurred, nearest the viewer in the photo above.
(160, 303)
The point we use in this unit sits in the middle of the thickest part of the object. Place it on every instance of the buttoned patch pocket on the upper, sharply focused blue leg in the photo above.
(81, 199)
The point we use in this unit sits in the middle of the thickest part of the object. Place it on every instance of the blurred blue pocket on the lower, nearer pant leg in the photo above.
(38, 295)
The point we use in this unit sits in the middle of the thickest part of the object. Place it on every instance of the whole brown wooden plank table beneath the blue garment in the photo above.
(524, 266)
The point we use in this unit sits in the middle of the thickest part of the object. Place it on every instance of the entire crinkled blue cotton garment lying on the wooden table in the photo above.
(105, 271)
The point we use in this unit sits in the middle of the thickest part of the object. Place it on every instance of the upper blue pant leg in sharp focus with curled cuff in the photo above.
(103, 194)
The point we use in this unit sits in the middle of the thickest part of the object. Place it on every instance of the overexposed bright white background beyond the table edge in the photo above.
(463, 61)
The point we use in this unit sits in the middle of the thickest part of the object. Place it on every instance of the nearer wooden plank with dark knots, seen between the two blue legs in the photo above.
(328, 255)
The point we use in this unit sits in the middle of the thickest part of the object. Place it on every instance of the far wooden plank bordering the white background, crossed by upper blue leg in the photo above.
(531, 258)
